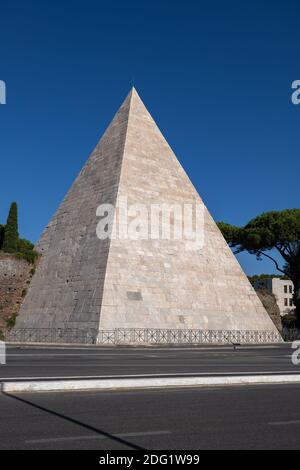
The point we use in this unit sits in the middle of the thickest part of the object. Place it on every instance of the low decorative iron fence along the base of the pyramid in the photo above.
(142, 336)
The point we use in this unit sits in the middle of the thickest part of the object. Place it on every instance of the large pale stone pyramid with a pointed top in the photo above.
(146, 288)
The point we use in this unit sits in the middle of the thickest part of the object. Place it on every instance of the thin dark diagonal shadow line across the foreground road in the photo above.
(75, 421)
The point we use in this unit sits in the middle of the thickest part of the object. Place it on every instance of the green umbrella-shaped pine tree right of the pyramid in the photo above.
(276, 230)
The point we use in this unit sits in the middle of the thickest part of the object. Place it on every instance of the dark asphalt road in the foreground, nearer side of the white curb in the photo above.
(261, 417)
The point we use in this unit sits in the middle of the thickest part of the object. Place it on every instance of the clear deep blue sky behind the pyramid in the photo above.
(215, 75)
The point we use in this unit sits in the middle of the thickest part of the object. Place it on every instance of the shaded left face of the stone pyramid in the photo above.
(67, 289)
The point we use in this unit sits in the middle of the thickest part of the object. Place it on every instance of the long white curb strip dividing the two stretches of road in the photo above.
(143, 383)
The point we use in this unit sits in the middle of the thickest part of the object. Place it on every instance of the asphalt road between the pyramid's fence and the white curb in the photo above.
(24, 362)
